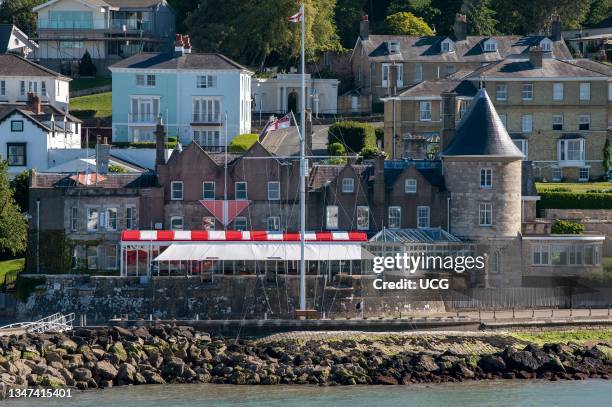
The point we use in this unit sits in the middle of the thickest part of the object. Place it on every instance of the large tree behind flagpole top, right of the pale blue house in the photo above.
(250, 31)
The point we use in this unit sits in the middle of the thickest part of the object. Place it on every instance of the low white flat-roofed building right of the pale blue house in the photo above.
(281, 94)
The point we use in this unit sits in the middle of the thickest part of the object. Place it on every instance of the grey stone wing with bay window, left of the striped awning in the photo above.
(82, 216)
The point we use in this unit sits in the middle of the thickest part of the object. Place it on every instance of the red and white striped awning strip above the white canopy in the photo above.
(236, 236)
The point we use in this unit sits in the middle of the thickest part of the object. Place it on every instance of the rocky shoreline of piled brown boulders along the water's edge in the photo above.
(106, 357)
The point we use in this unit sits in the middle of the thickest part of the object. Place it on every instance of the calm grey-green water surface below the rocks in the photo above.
(501, 393)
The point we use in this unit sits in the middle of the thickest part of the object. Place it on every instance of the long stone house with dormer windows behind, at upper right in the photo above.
(416, 59)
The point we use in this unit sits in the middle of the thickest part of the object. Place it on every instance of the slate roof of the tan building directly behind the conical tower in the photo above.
(551, 68)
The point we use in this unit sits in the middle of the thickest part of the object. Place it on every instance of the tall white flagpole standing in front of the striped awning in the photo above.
(303, 173)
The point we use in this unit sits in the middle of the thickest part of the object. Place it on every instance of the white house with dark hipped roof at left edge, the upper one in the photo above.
(20, 77)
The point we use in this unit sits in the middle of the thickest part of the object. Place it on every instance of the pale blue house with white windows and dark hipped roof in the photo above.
(193, 92)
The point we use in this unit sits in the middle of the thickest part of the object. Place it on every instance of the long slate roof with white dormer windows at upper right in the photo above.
(428, 49)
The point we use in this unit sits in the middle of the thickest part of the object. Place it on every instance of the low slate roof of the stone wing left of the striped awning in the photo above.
(113, 180)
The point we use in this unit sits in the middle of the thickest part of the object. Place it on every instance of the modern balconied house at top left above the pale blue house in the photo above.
(109, 29)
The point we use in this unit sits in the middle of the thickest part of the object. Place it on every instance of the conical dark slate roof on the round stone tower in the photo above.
(481, 132)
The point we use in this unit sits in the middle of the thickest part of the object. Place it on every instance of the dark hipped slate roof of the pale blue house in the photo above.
(157, 60)
